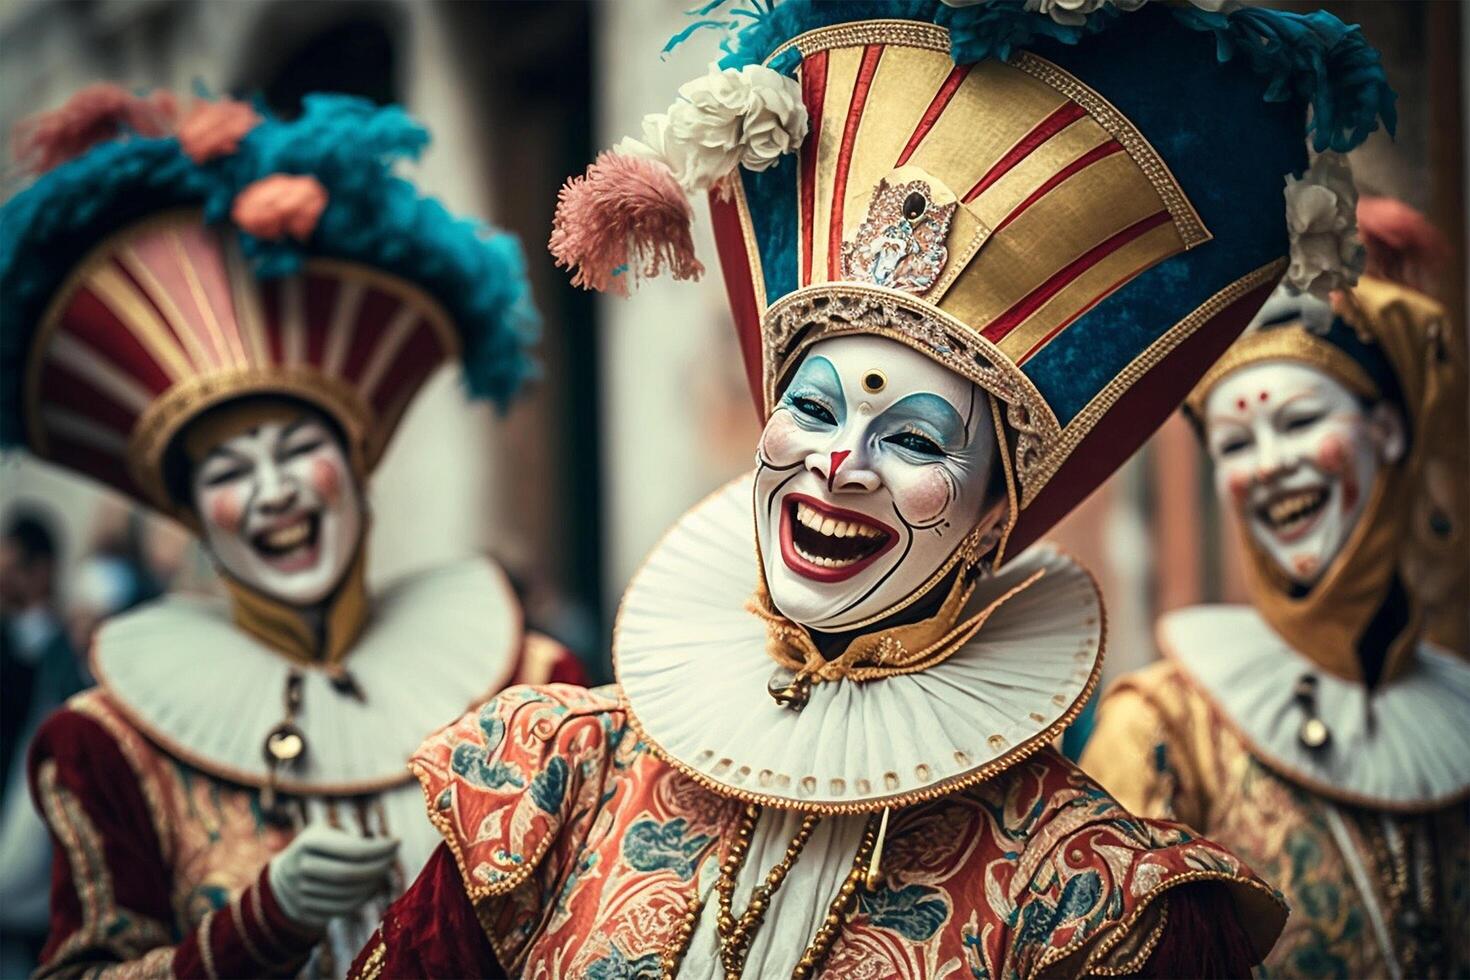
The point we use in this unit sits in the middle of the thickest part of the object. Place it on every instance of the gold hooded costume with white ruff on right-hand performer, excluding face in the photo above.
(1363, 824)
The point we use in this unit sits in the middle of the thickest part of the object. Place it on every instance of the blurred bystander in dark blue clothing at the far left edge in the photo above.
(37, 674)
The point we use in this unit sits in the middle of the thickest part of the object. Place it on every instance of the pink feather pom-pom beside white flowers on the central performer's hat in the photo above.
(625, 217)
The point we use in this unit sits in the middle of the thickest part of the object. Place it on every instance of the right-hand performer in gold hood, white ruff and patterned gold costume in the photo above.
(1318, 732)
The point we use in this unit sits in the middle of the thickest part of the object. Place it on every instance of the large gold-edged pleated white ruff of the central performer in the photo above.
(693, 668)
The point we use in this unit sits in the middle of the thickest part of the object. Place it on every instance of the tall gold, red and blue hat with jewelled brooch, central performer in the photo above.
(1077, 209)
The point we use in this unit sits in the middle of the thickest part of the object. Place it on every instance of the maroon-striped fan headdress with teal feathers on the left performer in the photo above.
(167, 262)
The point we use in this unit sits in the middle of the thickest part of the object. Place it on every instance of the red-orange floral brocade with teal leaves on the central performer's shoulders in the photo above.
(583, 853)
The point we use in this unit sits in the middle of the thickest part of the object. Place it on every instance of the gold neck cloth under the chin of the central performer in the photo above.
(899, 650)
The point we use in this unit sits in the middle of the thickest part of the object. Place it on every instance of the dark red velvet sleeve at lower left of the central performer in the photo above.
(430, 932)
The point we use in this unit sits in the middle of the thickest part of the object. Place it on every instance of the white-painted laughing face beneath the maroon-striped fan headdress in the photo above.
(282, 509)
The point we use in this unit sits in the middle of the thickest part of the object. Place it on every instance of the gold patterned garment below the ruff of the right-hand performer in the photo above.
(1199, 771)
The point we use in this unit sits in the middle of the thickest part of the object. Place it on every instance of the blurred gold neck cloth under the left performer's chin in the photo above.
(290, 633)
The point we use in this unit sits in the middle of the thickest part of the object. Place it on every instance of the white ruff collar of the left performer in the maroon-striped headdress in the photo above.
(208, 693)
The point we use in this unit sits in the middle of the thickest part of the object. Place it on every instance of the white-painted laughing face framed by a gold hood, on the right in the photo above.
(1297, 456)
